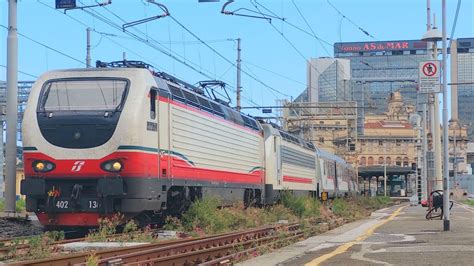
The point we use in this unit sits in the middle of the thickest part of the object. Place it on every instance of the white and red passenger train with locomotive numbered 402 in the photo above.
(125, 139)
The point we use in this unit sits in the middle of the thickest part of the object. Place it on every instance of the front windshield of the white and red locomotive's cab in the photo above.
(83, 95)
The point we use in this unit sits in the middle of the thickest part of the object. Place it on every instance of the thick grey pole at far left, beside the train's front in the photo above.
(12, 105)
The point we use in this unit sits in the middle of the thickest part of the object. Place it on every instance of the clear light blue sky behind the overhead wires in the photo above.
(273, 54)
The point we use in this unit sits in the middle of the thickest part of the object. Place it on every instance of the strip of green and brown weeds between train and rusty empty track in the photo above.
(206, 217)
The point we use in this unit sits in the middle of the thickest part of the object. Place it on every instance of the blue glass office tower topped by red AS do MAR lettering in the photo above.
(379, 68)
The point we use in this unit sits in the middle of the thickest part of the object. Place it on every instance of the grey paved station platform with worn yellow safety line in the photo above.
(399, 235)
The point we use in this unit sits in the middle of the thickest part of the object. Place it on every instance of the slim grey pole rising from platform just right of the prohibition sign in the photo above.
(445, 127)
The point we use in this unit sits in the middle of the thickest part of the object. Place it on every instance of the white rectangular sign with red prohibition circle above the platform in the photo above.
(428, 73)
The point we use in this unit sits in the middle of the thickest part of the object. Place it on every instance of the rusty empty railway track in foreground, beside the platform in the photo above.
(204, 250)
